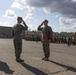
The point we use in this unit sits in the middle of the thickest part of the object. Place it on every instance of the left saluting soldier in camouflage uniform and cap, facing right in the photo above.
(17, 31)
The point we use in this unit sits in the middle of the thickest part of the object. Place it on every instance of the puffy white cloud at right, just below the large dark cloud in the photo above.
(66, 23)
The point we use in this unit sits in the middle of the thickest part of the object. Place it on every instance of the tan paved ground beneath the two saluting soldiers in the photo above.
(62, 59)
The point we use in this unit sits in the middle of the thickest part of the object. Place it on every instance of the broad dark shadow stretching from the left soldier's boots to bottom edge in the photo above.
(33, 69)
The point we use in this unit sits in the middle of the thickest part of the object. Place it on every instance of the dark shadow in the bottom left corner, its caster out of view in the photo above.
(4, 67)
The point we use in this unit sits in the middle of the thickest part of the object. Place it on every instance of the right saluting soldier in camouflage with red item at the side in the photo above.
(46, 37)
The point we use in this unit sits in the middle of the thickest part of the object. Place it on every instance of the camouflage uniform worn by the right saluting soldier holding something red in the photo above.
(46, 31)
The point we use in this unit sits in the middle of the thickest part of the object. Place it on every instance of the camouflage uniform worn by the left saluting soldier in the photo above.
(17, 33)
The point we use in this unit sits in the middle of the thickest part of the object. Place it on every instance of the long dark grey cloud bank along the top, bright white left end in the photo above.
(66, 8)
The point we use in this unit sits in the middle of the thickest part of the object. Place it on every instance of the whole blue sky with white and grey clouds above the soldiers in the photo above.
(61, 14)
